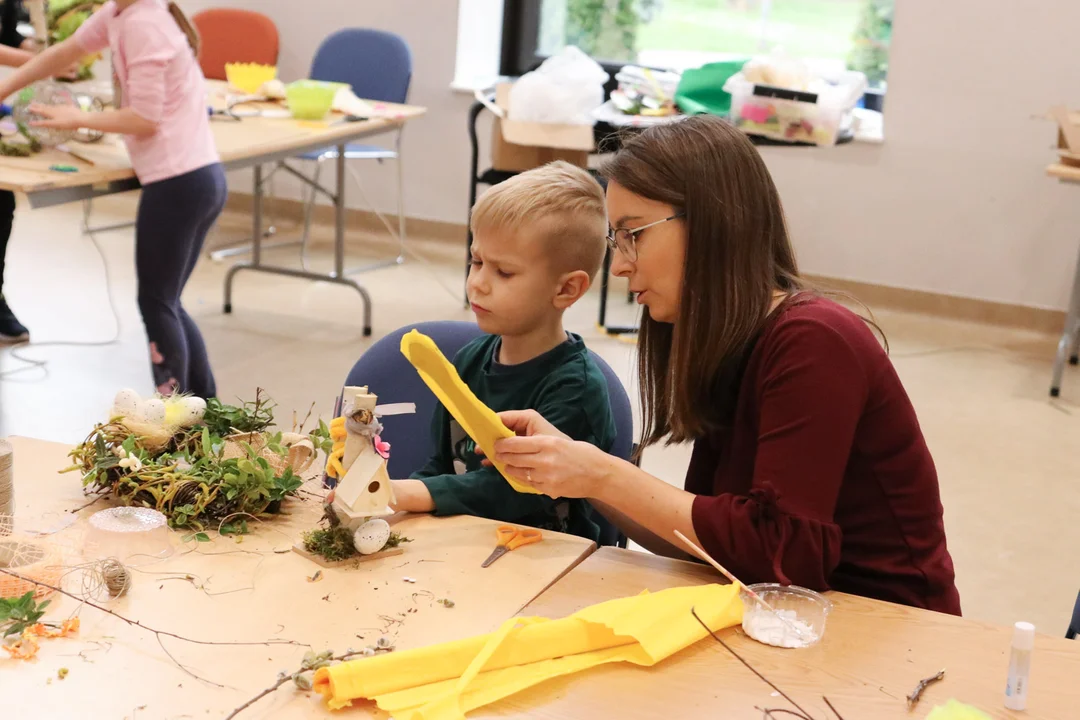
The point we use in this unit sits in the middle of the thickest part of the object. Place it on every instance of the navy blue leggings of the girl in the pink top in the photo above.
(174, 218)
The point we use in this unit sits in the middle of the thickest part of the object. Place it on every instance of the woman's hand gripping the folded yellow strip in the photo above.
(550, 461)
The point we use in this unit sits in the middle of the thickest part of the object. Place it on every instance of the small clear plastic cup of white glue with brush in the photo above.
(802, 616)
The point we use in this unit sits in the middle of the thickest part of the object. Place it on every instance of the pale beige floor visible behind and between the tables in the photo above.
(1009, 459)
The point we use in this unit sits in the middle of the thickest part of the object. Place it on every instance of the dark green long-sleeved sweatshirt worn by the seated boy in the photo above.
(564, 386)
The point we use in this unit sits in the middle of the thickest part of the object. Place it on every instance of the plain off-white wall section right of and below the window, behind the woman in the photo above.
(956, 201)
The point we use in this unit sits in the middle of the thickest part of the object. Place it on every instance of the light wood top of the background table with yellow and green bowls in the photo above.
(241, 143)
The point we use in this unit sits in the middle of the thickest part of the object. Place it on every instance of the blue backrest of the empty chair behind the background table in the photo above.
(379, 65)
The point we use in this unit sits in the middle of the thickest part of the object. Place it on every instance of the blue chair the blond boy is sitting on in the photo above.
(390, 376)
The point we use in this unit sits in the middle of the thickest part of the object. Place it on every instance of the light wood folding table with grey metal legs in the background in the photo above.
(252, 142)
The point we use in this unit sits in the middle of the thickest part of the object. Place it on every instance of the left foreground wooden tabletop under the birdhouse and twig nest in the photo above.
(253, 591)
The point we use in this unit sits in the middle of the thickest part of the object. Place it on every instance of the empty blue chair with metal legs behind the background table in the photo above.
(379, 66)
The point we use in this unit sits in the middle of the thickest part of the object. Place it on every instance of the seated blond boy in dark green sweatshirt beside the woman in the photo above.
(538, 242)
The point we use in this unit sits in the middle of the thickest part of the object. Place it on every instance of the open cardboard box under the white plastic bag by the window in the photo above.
(520, 146)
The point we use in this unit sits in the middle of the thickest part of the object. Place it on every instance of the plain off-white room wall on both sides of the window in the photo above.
(955, 202)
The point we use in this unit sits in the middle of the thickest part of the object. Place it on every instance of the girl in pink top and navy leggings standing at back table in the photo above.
(161, 112)
